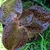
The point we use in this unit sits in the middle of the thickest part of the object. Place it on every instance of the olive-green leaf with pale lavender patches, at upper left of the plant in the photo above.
(10, 12)
